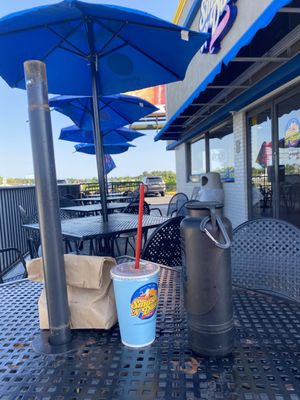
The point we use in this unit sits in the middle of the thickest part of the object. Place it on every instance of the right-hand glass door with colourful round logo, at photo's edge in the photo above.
(288, 172)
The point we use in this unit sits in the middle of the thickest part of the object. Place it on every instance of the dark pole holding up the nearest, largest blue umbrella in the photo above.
(98, 139)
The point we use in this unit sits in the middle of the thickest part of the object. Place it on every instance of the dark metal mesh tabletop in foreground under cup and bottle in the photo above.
(264, 365)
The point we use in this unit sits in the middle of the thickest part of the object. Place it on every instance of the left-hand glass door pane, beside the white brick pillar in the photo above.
(261, 164)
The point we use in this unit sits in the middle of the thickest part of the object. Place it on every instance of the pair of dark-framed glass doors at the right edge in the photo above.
(274, 158)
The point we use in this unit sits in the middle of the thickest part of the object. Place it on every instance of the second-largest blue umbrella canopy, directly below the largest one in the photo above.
(115, 111)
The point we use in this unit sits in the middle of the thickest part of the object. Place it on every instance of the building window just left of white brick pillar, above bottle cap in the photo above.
(221, 154)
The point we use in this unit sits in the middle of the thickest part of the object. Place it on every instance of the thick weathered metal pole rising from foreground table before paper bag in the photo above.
(48, 204)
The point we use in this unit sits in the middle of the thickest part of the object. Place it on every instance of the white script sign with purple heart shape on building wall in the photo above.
(216, 18)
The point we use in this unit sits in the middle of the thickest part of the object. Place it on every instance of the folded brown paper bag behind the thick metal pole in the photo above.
(90, 291)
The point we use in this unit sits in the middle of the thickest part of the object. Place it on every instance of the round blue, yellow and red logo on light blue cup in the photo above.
(144, 301)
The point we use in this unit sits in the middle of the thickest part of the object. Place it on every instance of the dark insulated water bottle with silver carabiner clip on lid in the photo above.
(207, 279)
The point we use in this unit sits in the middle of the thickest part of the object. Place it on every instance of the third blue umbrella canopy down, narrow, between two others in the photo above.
(75, 134)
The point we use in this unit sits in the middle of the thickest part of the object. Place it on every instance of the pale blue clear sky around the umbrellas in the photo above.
(15, 147)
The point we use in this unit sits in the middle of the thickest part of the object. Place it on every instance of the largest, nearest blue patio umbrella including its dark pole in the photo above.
(95, 49)
